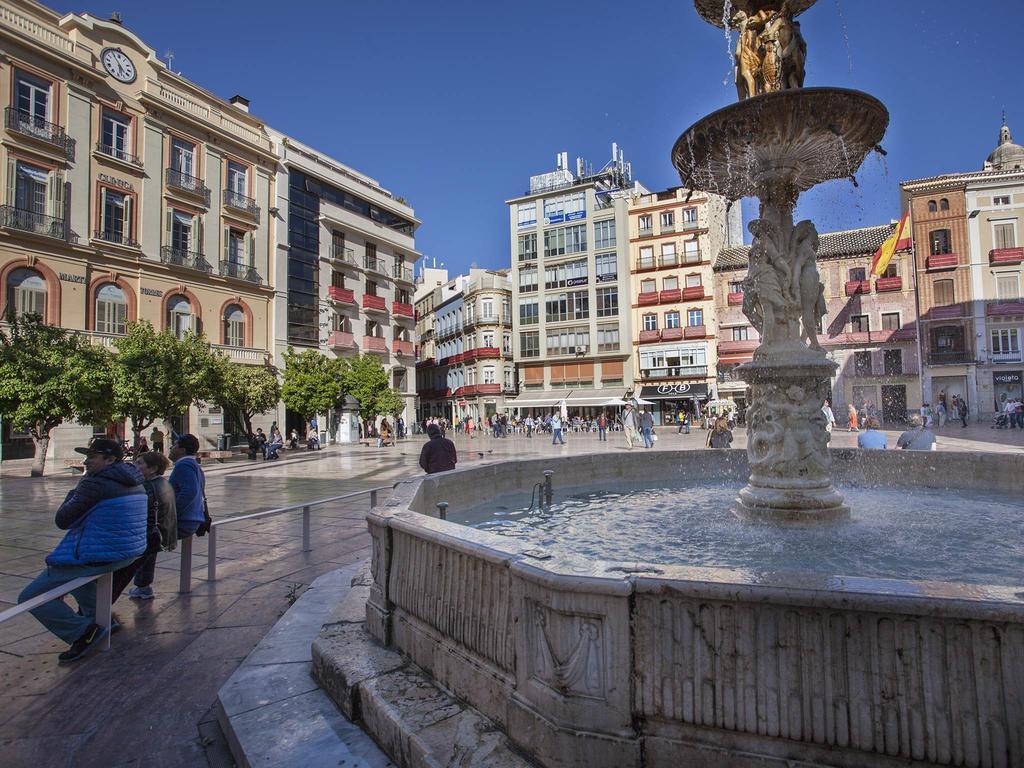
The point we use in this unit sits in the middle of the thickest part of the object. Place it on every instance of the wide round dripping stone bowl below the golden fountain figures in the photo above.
(801, 138)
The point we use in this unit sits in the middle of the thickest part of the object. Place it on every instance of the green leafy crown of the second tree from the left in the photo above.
(159, 376)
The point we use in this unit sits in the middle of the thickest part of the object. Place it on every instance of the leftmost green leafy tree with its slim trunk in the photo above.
(49, 376)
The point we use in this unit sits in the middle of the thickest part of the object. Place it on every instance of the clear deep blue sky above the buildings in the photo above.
(454, 105)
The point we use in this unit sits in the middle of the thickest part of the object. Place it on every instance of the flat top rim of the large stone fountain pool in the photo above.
(993, 603)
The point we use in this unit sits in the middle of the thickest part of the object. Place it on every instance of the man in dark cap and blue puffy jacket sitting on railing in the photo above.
(106, 520)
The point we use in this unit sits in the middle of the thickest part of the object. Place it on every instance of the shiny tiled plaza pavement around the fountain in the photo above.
(148, 702)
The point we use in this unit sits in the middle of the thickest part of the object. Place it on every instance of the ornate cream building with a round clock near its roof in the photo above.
(133, 194)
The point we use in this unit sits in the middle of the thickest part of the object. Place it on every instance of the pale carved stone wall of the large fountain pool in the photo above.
(586, 662)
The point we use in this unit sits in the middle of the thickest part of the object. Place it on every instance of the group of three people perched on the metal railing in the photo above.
(117, 520)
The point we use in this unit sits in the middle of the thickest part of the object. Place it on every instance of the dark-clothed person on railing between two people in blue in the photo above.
(163, 527)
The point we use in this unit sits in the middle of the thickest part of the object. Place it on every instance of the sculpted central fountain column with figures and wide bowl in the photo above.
(780, 141)
